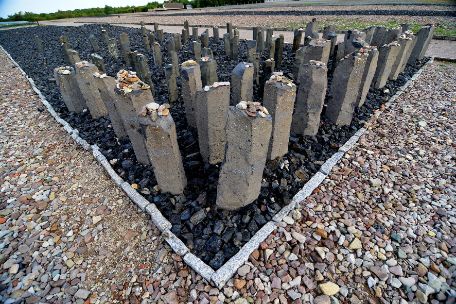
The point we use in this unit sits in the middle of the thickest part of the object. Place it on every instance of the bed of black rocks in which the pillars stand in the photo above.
(213, 235)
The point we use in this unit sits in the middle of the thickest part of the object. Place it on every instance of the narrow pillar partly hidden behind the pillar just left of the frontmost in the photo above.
(191, 83)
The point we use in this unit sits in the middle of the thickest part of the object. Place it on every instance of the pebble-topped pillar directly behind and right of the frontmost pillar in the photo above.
(279, 97)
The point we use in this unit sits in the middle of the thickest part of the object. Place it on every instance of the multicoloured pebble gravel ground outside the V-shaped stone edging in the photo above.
(382, 227)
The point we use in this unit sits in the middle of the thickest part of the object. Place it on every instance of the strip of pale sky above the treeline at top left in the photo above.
(9, 7)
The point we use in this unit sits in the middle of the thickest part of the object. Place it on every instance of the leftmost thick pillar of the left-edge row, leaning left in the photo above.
(65, 78)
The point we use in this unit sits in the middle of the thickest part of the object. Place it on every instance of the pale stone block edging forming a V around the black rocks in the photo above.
(224, 273)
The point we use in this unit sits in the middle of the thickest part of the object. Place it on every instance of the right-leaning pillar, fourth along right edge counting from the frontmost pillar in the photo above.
(345, 86)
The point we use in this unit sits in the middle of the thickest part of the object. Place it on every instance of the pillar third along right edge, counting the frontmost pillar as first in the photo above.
(310, 98)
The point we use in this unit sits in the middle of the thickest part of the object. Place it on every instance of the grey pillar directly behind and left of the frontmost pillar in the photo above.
(212, 104)
